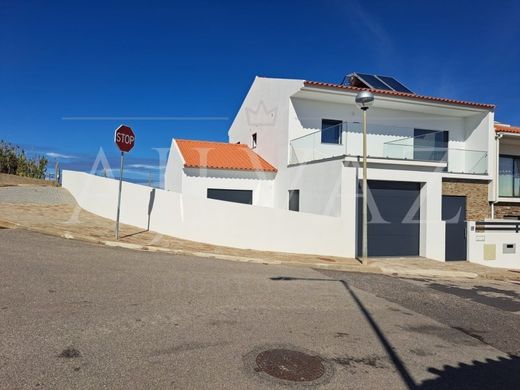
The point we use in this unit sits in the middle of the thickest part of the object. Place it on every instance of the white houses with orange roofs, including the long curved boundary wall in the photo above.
(444, 177)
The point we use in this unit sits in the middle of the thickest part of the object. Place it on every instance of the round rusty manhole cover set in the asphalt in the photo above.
(290, 365)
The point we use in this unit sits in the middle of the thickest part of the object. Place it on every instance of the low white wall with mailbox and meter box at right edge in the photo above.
(477, 241)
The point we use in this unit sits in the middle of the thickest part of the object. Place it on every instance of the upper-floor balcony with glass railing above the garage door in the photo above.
(388, 143)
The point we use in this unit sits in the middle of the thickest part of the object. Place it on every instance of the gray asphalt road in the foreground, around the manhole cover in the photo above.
(75, 315)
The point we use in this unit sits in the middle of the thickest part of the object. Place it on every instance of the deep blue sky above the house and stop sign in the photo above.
(62, 61)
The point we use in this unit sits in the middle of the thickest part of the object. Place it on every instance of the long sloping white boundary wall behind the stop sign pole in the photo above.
(210, 221)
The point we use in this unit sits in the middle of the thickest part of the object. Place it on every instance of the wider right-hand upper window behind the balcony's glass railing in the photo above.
(430, 145)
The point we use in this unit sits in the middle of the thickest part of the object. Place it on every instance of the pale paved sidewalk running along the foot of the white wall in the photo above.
(53, 211)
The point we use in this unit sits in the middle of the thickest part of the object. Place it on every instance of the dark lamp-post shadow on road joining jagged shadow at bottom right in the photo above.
(503, 373)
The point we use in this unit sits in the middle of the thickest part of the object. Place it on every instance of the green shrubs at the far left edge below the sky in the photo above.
(14, 161)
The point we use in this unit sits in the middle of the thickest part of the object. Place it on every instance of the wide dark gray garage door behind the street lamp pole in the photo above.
(393, 229)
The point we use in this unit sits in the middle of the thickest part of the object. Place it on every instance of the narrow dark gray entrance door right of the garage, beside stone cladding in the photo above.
(454, 213)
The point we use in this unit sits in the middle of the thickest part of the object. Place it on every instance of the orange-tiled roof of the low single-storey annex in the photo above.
(220, 155)
